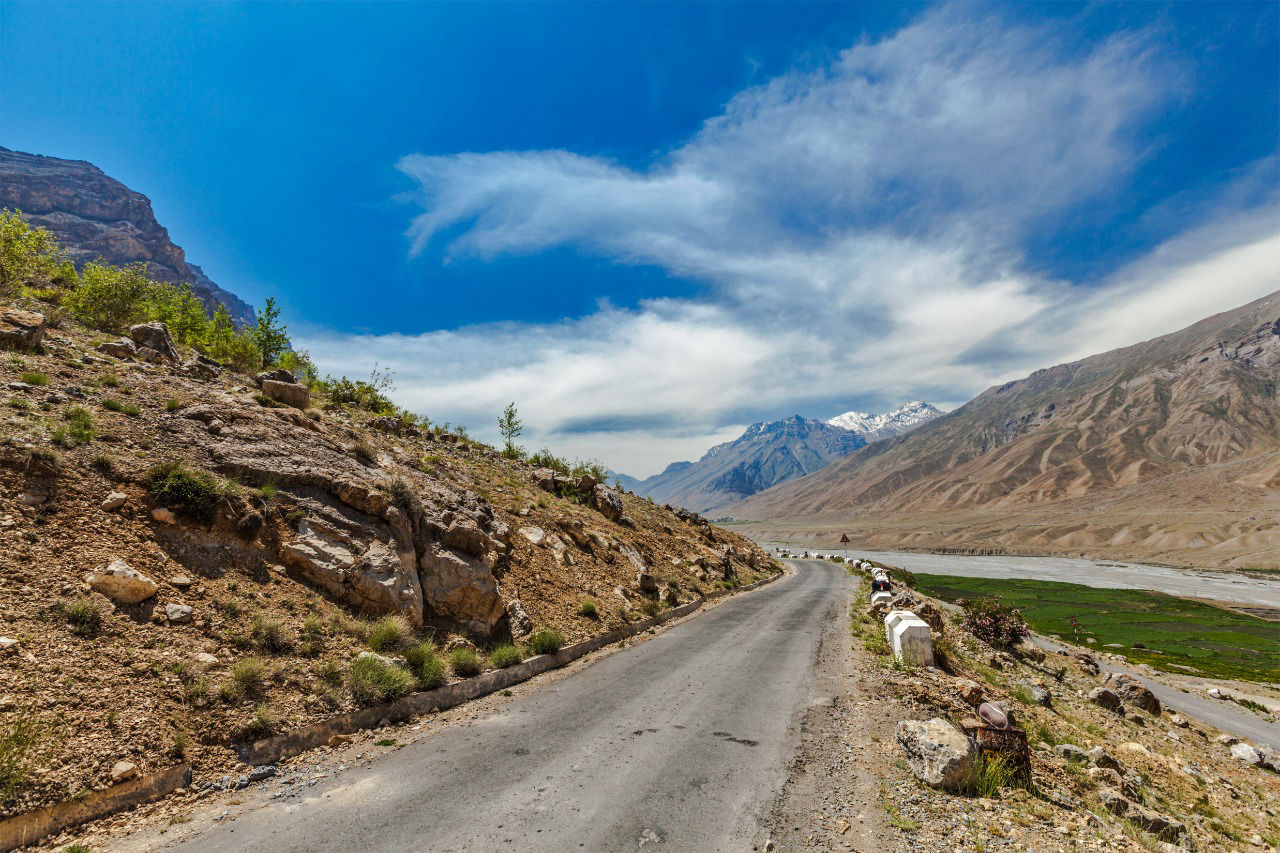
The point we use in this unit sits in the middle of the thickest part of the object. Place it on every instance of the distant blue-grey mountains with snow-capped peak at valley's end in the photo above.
(772, 453)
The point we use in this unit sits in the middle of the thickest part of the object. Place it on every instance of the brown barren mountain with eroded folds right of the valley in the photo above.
(1168, 450)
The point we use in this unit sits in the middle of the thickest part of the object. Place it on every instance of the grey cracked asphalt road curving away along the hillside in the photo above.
(680, 742)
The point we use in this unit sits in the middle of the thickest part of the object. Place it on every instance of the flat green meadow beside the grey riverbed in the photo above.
(1180, 636)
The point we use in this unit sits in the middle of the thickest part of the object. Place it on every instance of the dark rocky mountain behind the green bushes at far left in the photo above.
(98, 218)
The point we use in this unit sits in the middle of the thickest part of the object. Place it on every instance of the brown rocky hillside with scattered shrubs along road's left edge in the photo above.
(198, 559)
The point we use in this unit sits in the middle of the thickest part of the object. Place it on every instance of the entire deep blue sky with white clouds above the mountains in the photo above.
(652, 225)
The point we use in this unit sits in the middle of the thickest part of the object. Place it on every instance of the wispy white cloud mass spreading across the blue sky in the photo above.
(861, 230)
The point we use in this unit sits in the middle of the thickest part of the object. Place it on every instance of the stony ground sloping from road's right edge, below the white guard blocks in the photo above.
(1110, 769)
